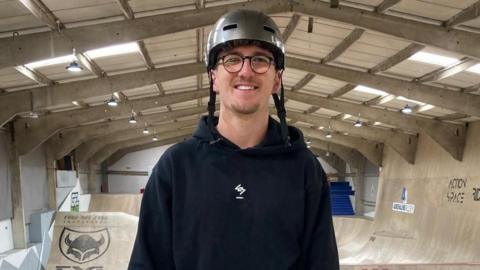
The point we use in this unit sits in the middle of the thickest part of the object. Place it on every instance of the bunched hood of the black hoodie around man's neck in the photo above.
(271, 144)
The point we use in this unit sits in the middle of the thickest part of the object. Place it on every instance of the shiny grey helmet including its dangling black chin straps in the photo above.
(247, 25)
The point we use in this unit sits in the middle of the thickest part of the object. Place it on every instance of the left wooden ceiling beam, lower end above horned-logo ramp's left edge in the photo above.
(68, 139)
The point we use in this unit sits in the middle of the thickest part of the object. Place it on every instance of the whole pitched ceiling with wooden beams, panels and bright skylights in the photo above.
(360, 75)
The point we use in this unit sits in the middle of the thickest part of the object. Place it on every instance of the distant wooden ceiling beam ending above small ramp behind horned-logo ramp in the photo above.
(110, 149)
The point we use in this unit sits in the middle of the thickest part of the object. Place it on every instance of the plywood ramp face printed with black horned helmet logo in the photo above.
(92, 240)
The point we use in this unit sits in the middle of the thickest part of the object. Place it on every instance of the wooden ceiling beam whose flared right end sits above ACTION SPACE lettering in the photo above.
(450, 137)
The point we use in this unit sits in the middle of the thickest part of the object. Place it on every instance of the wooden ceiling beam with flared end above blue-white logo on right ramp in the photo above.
(404, 144)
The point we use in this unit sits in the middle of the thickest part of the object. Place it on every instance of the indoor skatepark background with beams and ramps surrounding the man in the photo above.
(386, 92)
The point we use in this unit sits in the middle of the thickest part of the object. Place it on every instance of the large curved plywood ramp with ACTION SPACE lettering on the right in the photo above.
(444, 230)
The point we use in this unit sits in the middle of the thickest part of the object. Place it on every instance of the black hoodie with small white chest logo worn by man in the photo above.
(210, 205)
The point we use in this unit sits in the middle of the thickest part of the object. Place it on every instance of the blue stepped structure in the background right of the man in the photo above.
(340, 193)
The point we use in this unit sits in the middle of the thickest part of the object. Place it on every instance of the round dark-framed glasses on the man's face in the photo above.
(234, 63)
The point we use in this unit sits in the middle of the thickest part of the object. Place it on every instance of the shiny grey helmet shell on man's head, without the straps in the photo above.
(244, 24)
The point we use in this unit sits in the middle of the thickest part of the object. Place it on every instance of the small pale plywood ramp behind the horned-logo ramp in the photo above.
(126, 203)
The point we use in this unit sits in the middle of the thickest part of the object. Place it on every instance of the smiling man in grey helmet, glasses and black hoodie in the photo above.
(244, 192)
